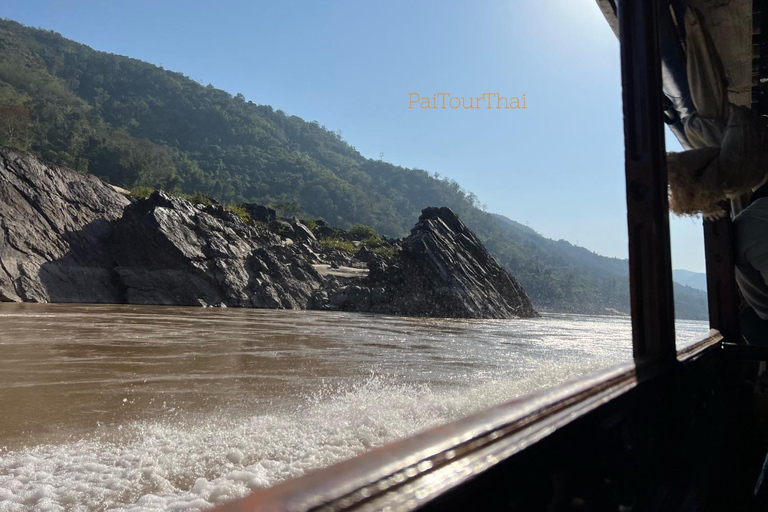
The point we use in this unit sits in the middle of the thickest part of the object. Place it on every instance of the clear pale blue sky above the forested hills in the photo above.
(350, 64)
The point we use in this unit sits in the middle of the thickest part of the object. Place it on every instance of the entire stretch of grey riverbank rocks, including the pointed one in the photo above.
(68, 237)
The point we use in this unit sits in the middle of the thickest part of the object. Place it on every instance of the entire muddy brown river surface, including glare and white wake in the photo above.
(157, 408)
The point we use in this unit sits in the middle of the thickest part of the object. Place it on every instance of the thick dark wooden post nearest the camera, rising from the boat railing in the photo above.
(650, 268)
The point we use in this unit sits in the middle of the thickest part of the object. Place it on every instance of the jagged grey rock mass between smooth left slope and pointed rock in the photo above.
(169, 251)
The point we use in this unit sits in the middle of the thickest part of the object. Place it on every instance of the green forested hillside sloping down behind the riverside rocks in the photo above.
(137, 125)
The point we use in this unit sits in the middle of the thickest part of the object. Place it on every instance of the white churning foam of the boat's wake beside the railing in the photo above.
(199, 462)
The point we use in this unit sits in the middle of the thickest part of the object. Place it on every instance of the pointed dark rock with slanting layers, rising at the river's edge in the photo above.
(442, 270)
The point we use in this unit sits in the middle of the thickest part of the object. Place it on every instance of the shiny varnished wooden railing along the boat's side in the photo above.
(408, 473)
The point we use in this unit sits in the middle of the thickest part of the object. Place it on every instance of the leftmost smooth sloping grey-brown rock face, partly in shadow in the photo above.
(54, 224)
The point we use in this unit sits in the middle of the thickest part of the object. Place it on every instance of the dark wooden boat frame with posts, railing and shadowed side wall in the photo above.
(683, 430)
